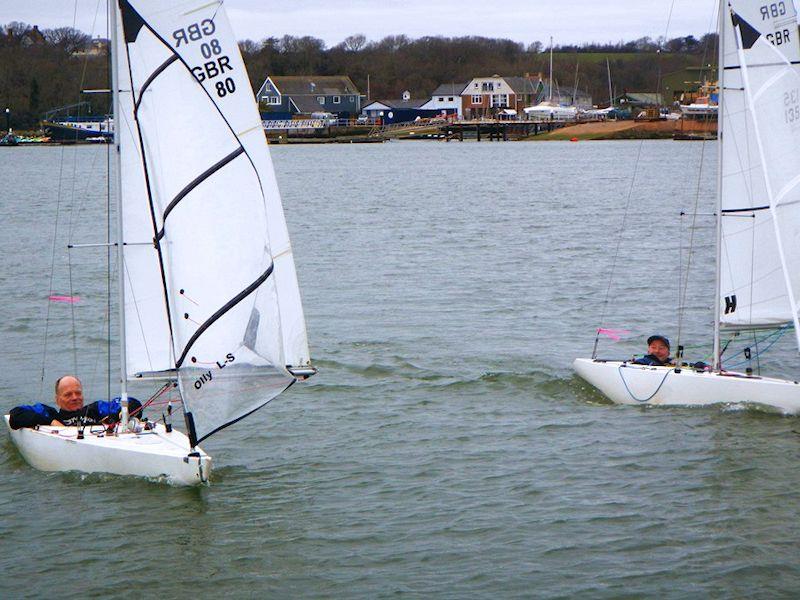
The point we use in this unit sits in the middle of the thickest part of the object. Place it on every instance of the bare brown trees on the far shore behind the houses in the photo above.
(44, 69)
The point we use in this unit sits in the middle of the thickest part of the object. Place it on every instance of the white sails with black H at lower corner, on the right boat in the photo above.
(760, 197)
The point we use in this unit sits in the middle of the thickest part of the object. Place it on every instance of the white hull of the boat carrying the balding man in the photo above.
(152, 454)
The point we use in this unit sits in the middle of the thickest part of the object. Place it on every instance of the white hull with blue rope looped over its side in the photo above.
(625, 383)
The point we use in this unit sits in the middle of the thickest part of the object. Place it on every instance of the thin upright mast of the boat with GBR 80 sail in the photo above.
(123, 379)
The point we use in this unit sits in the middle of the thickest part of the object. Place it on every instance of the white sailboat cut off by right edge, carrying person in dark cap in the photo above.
(758, 218)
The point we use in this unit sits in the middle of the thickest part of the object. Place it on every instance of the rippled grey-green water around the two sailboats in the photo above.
(445, 449)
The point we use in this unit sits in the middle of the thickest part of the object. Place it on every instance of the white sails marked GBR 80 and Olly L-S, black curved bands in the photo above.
(230, 317)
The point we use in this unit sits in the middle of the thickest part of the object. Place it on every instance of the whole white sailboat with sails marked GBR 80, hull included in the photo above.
(210, 299)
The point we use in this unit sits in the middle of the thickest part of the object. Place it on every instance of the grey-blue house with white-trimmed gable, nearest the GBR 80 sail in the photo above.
(282, 97)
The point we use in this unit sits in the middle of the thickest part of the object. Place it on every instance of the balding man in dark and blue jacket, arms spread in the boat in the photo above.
(70, 411)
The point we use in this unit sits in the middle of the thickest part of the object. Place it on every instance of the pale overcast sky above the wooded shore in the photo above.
(568, 21)
